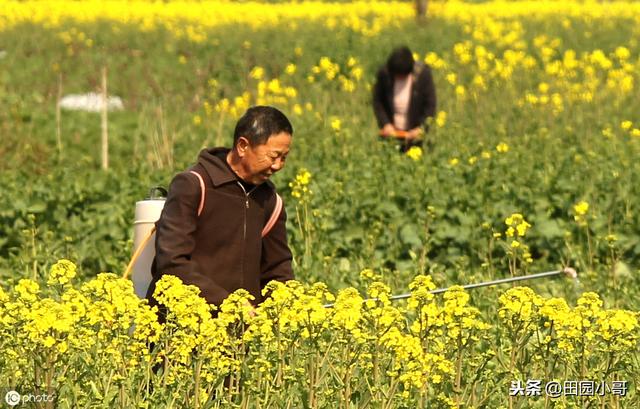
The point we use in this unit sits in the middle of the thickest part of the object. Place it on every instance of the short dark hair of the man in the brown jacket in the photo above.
(259, 123)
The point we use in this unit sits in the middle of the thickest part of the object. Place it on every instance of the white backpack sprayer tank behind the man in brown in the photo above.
(146, 214)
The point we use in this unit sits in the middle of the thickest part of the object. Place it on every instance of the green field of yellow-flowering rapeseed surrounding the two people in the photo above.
(530, 165)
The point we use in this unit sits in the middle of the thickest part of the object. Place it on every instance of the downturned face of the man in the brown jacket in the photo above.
(259, 162)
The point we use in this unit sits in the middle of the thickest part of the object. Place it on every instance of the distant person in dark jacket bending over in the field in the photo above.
(404, 96)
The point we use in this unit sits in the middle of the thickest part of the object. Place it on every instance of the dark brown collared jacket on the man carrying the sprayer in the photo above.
(221, 250)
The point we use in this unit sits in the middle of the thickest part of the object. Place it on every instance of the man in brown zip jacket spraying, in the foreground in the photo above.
(223, 225)
